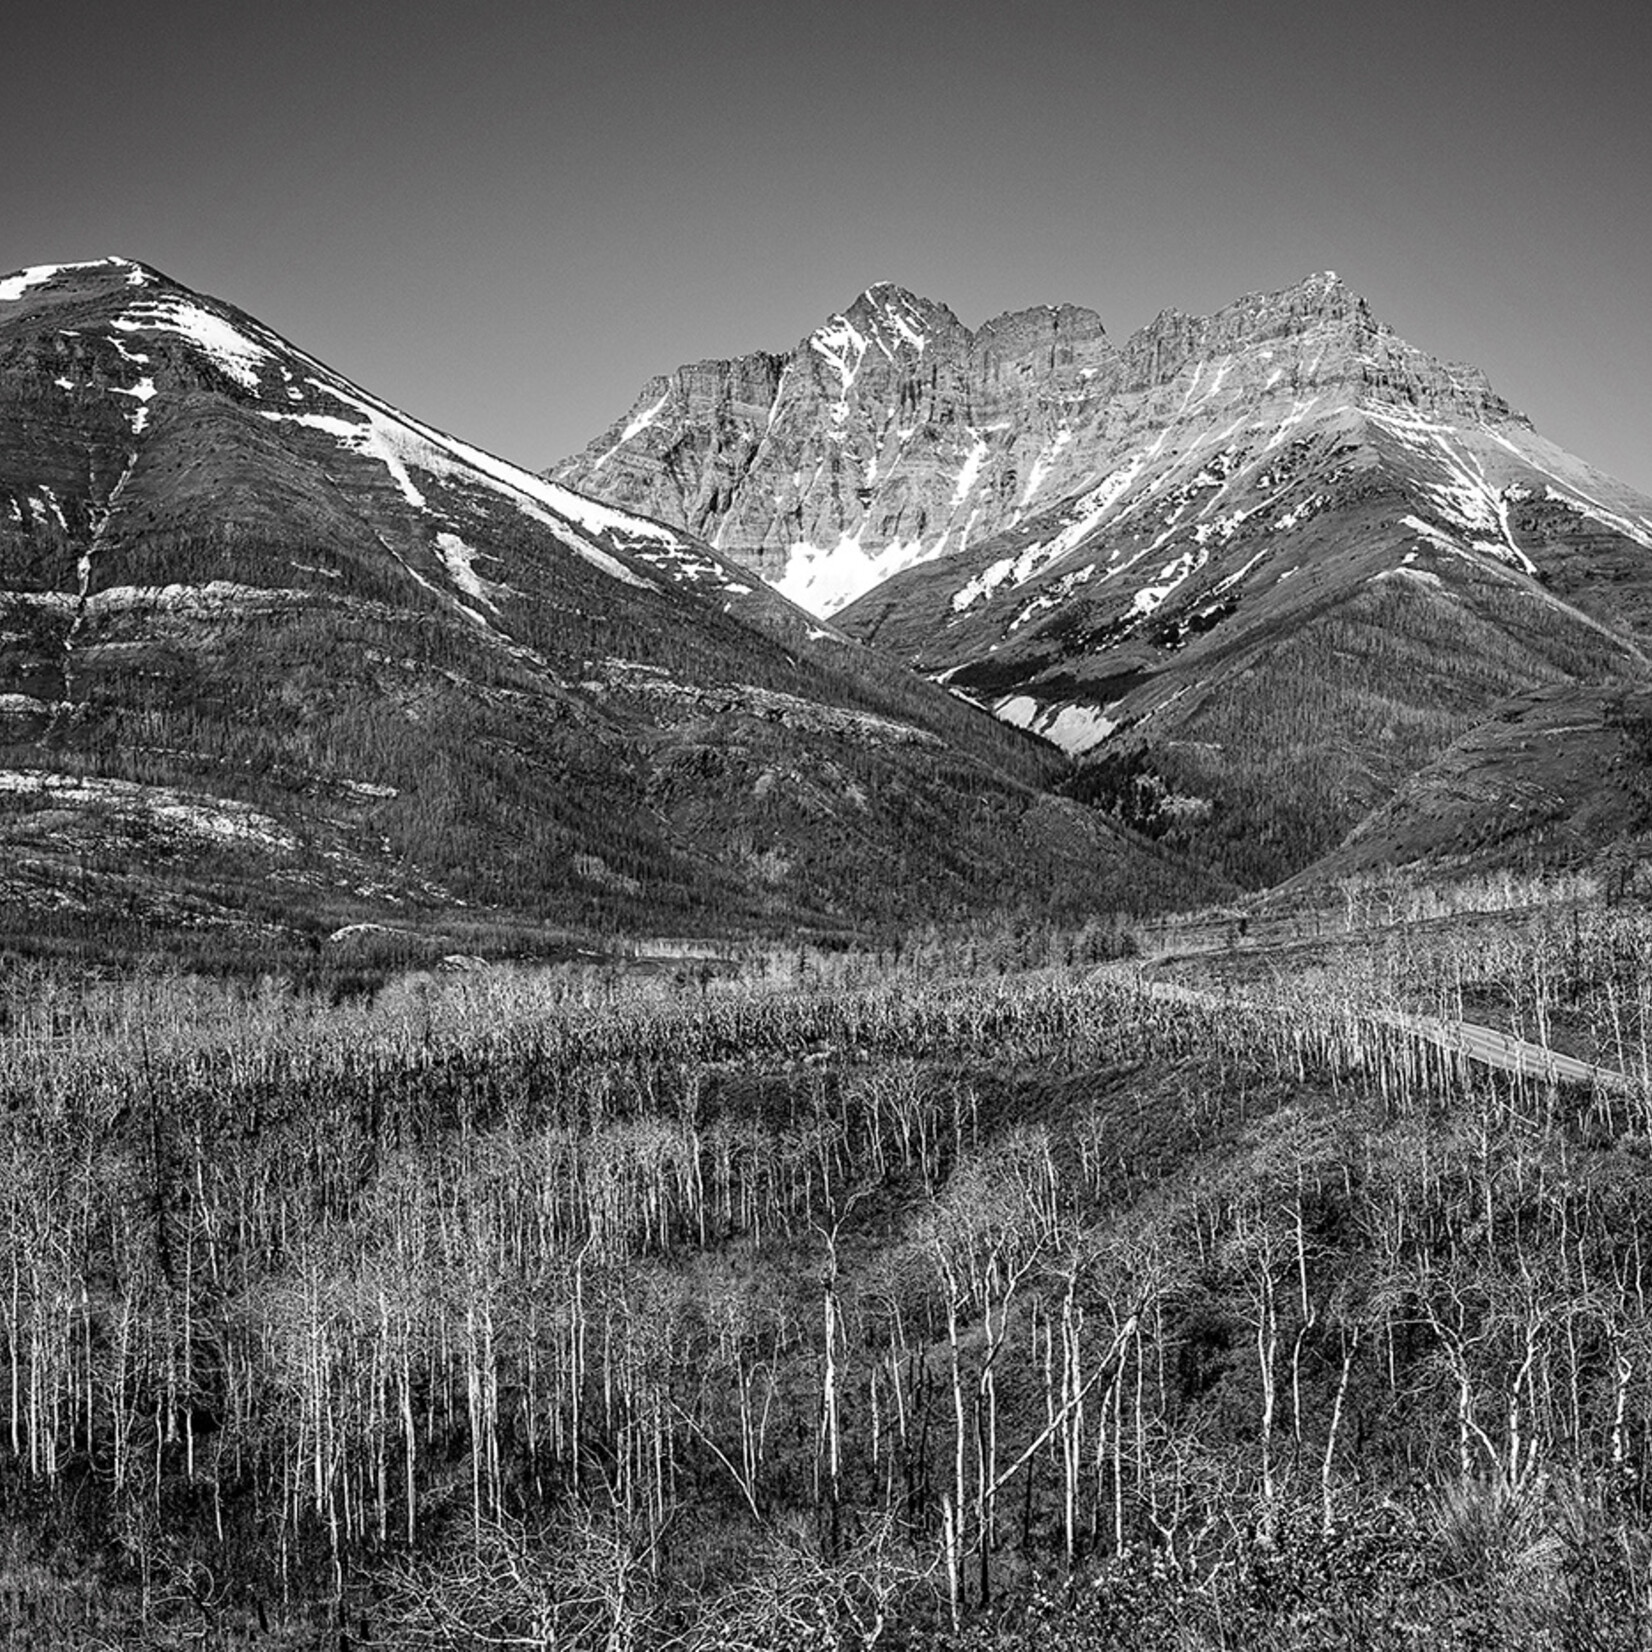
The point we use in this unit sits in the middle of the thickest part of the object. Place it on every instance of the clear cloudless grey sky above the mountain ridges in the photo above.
(506, 216)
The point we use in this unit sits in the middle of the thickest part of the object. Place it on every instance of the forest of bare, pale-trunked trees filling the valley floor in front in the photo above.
(835, 1303)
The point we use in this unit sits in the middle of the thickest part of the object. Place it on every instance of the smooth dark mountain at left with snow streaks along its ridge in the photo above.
(285, 663)
